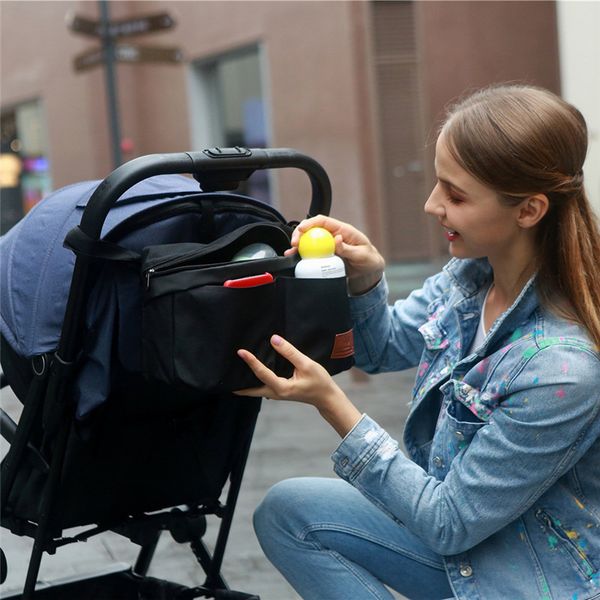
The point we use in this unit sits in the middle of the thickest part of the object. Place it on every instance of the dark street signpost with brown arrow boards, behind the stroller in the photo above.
(112, 51)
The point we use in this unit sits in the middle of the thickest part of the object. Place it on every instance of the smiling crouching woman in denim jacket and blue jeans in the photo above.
(500, 495)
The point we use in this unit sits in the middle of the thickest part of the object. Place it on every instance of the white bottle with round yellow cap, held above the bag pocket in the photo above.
(316, 248)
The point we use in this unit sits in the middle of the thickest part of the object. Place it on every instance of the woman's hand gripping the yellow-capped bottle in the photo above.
(364, 264)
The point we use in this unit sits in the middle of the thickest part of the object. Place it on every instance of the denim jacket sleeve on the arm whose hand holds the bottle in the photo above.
(386, 337)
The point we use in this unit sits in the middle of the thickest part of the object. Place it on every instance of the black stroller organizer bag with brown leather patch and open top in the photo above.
(192, 325)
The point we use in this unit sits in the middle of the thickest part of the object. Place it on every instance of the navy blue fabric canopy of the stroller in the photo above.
(35, 268)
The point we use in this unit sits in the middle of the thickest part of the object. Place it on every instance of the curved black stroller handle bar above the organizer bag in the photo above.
(211, 167)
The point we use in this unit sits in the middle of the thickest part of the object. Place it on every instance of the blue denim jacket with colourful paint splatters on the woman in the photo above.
(503, 477)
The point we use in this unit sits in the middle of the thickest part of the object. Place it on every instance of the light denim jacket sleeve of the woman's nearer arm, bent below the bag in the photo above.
(540, 430)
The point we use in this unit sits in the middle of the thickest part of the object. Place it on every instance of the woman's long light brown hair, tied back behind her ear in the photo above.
(522, 140)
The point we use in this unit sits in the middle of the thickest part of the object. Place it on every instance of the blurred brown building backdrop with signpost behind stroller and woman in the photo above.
(358, 85)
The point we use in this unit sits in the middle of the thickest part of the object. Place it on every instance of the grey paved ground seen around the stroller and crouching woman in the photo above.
(290, 440)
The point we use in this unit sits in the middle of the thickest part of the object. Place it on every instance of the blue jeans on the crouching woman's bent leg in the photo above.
(331, 543)
